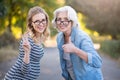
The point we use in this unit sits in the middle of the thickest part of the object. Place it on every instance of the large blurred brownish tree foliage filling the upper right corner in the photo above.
(101, 16)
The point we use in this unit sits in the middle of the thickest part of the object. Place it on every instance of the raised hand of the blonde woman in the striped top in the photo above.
(26, 44)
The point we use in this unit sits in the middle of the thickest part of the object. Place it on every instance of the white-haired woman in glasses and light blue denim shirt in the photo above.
(78, 58)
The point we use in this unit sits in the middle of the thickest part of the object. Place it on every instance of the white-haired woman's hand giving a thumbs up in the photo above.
(69, 47)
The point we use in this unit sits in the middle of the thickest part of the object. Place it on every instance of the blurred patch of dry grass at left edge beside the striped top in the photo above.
(7, 53)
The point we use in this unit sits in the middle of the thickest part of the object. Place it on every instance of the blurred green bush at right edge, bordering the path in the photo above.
(111, 47)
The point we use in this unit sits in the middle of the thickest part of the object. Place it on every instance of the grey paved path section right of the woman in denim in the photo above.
(110, 68)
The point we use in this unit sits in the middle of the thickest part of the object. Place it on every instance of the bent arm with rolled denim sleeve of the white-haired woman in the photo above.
(87, 47)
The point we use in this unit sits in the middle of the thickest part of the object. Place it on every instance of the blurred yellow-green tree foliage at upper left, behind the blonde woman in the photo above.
(14, 12)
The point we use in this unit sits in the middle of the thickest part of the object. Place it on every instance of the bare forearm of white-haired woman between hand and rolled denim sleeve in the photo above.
(82, 54)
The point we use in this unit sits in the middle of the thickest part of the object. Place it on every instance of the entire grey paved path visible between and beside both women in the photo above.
(50, 68)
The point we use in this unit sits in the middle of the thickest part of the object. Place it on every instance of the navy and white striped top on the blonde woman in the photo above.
(23, 71)
